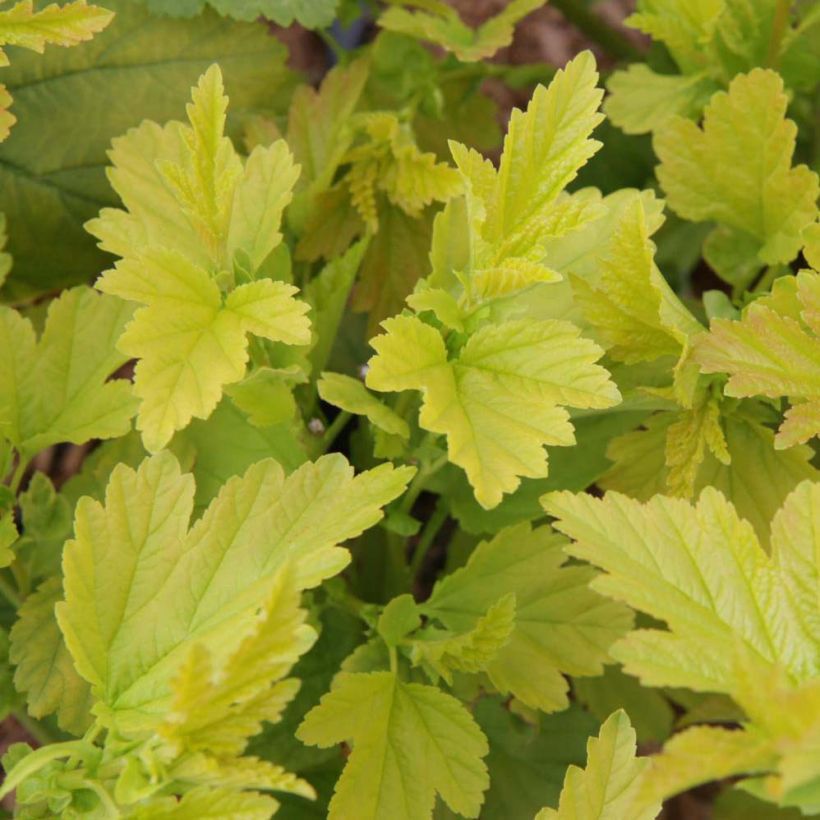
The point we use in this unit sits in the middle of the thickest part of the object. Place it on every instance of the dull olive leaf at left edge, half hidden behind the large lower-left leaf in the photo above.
(45, 670)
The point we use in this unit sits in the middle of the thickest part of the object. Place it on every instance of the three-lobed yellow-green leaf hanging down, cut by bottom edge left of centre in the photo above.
(410, 741)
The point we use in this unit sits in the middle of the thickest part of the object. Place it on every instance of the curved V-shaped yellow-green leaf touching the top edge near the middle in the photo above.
(440, 24)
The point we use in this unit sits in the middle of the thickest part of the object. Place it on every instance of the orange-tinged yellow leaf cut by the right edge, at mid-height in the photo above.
(772, 352)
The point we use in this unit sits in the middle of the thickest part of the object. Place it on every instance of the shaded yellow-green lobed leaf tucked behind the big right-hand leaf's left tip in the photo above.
(560, 625)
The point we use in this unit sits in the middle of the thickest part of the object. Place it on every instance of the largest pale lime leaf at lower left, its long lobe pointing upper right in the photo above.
(205, 585)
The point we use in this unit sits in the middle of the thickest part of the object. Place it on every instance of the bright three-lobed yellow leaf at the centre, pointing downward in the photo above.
(499, 401)
